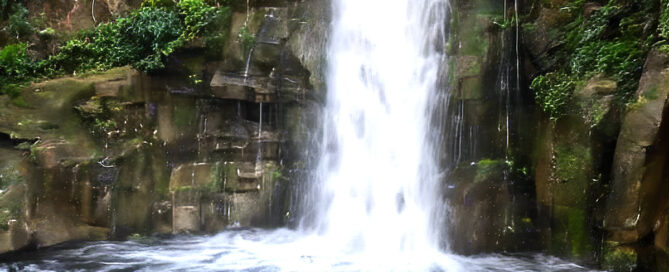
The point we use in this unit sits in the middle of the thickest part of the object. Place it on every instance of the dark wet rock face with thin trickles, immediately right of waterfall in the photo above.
(490, 196)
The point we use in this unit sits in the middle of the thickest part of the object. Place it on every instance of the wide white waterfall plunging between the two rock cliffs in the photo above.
(379, 174)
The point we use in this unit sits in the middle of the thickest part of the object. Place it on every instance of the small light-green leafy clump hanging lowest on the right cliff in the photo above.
(553, 92)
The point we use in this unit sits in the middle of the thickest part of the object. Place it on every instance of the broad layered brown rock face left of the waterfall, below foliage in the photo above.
(119, 153)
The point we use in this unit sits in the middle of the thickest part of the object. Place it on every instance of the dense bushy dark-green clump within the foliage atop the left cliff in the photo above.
(141, 40)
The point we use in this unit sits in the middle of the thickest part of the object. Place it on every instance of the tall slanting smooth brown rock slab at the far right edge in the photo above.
(639, 161)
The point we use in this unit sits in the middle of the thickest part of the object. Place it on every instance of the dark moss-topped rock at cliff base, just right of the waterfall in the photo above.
(486, 216)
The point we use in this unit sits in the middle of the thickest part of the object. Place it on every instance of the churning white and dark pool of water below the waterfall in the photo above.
(258, 250)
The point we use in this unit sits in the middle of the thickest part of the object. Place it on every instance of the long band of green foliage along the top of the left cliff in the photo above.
(143, 40)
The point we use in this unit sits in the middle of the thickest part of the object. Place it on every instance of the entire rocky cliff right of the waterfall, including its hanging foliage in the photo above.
(576, 165)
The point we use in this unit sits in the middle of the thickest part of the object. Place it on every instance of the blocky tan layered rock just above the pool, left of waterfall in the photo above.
(221, 194)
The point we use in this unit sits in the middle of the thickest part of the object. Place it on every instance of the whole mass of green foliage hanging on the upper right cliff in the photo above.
(610, 42)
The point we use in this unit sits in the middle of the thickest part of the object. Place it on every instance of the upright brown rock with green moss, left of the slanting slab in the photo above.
(566, 182)
